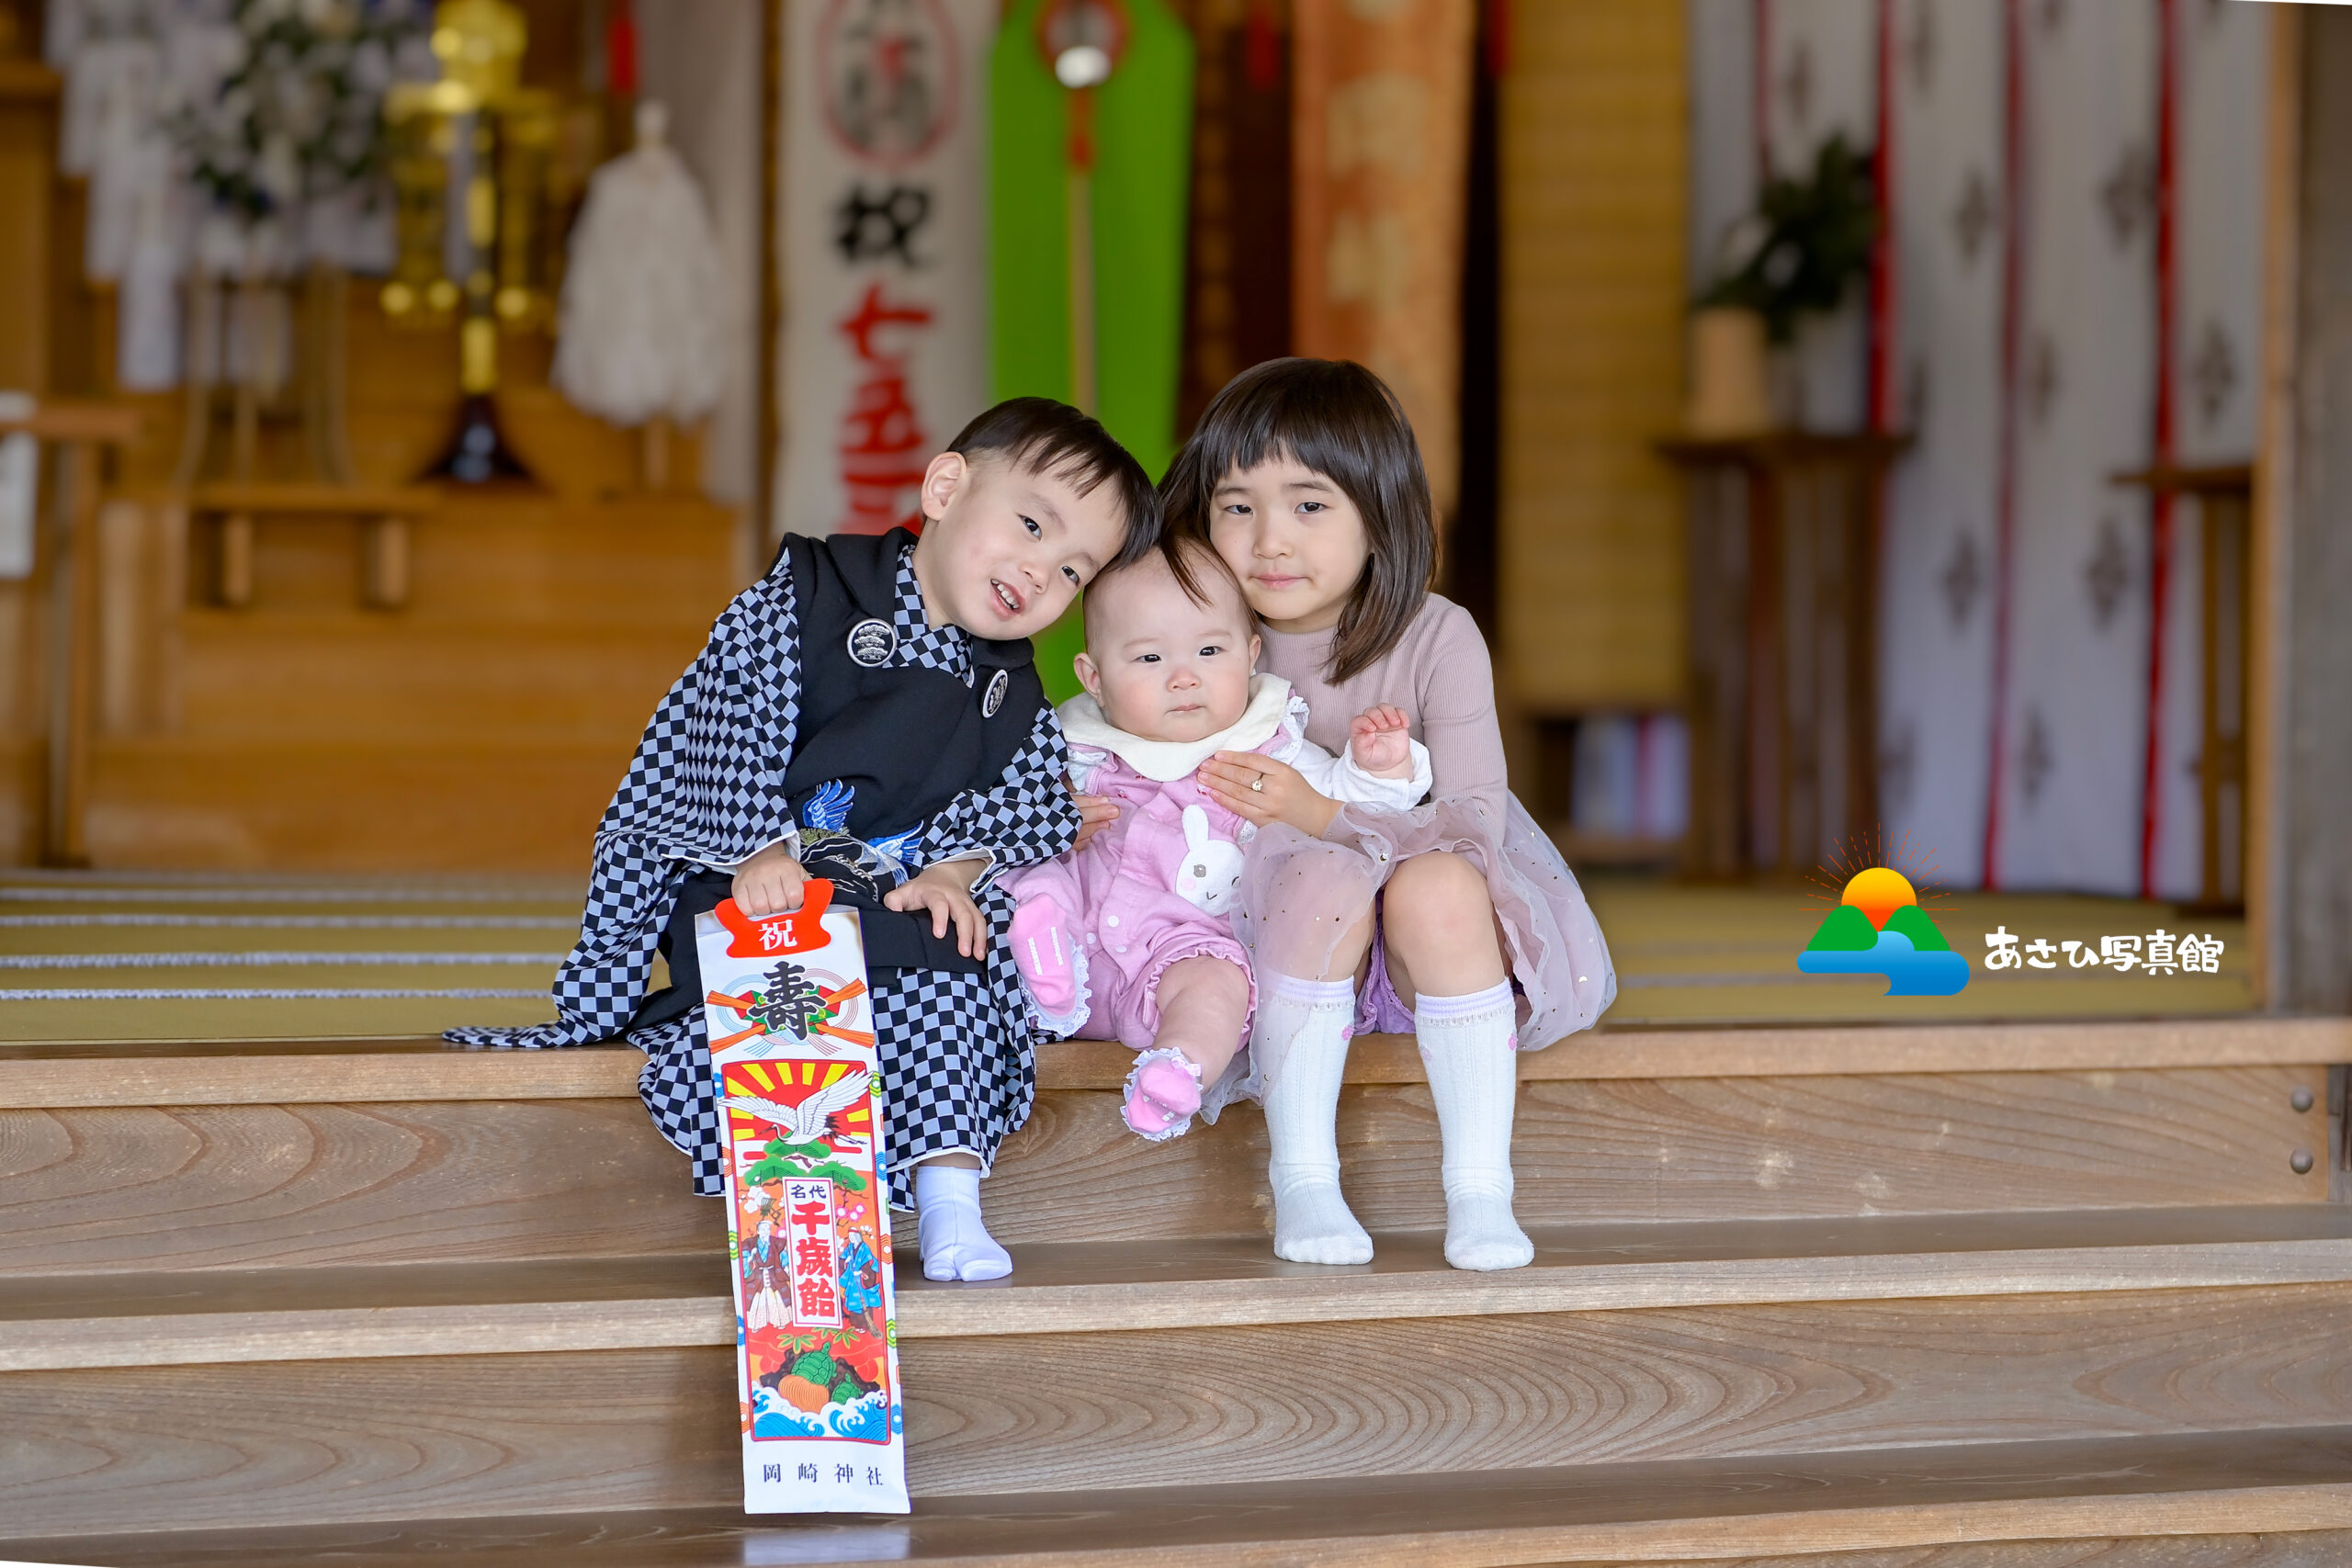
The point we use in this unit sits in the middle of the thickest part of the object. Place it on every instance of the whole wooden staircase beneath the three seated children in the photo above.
(1876, 1296)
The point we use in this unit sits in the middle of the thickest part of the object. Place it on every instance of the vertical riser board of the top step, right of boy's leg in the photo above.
(1659, 1151)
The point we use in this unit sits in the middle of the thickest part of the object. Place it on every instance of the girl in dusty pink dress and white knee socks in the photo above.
(1455, 920)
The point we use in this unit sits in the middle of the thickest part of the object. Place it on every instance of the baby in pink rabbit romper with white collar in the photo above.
(1130, 937)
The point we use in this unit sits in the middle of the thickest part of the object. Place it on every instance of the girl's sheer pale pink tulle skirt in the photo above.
(1302, 899)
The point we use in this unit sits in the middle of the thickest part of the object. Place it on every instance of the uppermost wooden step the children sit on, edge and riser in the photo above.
(403, 1151)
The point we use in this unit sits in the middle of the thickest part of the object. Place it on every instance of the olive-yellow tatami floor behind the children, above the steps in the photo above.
(253, 958)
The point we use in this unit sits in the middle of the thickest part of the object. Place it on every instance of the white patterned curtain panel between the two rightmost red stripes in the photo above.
(2071, 681)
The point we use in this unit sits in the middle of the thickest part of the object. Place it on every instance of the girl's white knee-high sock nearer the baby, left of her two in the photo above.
(1302, 1033)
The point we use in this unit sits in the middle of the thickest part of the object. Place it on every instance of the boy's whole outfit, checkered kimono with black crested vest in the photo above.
(947, 753)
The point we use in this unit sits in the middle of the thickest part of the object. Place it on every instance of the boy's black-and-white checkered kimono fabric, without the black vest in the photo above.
(707, 791)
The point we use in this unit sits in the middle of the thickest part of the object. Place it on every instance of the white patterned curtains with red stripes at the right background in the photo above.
(2031, 692)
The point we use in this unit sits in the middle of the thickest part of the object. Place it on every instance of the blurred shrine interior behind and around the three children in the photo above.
(1869, 431)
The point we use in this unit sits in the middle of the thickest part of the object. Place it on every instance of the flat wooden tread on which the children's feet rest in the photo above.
(76, 1322)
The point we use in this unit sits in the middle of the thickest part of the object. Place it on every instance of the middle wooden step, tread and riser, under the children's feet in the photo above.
(302, 1398)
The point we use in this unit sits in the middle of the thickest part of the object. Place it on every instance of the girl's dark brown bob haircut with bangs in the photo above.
(1342, 422)
